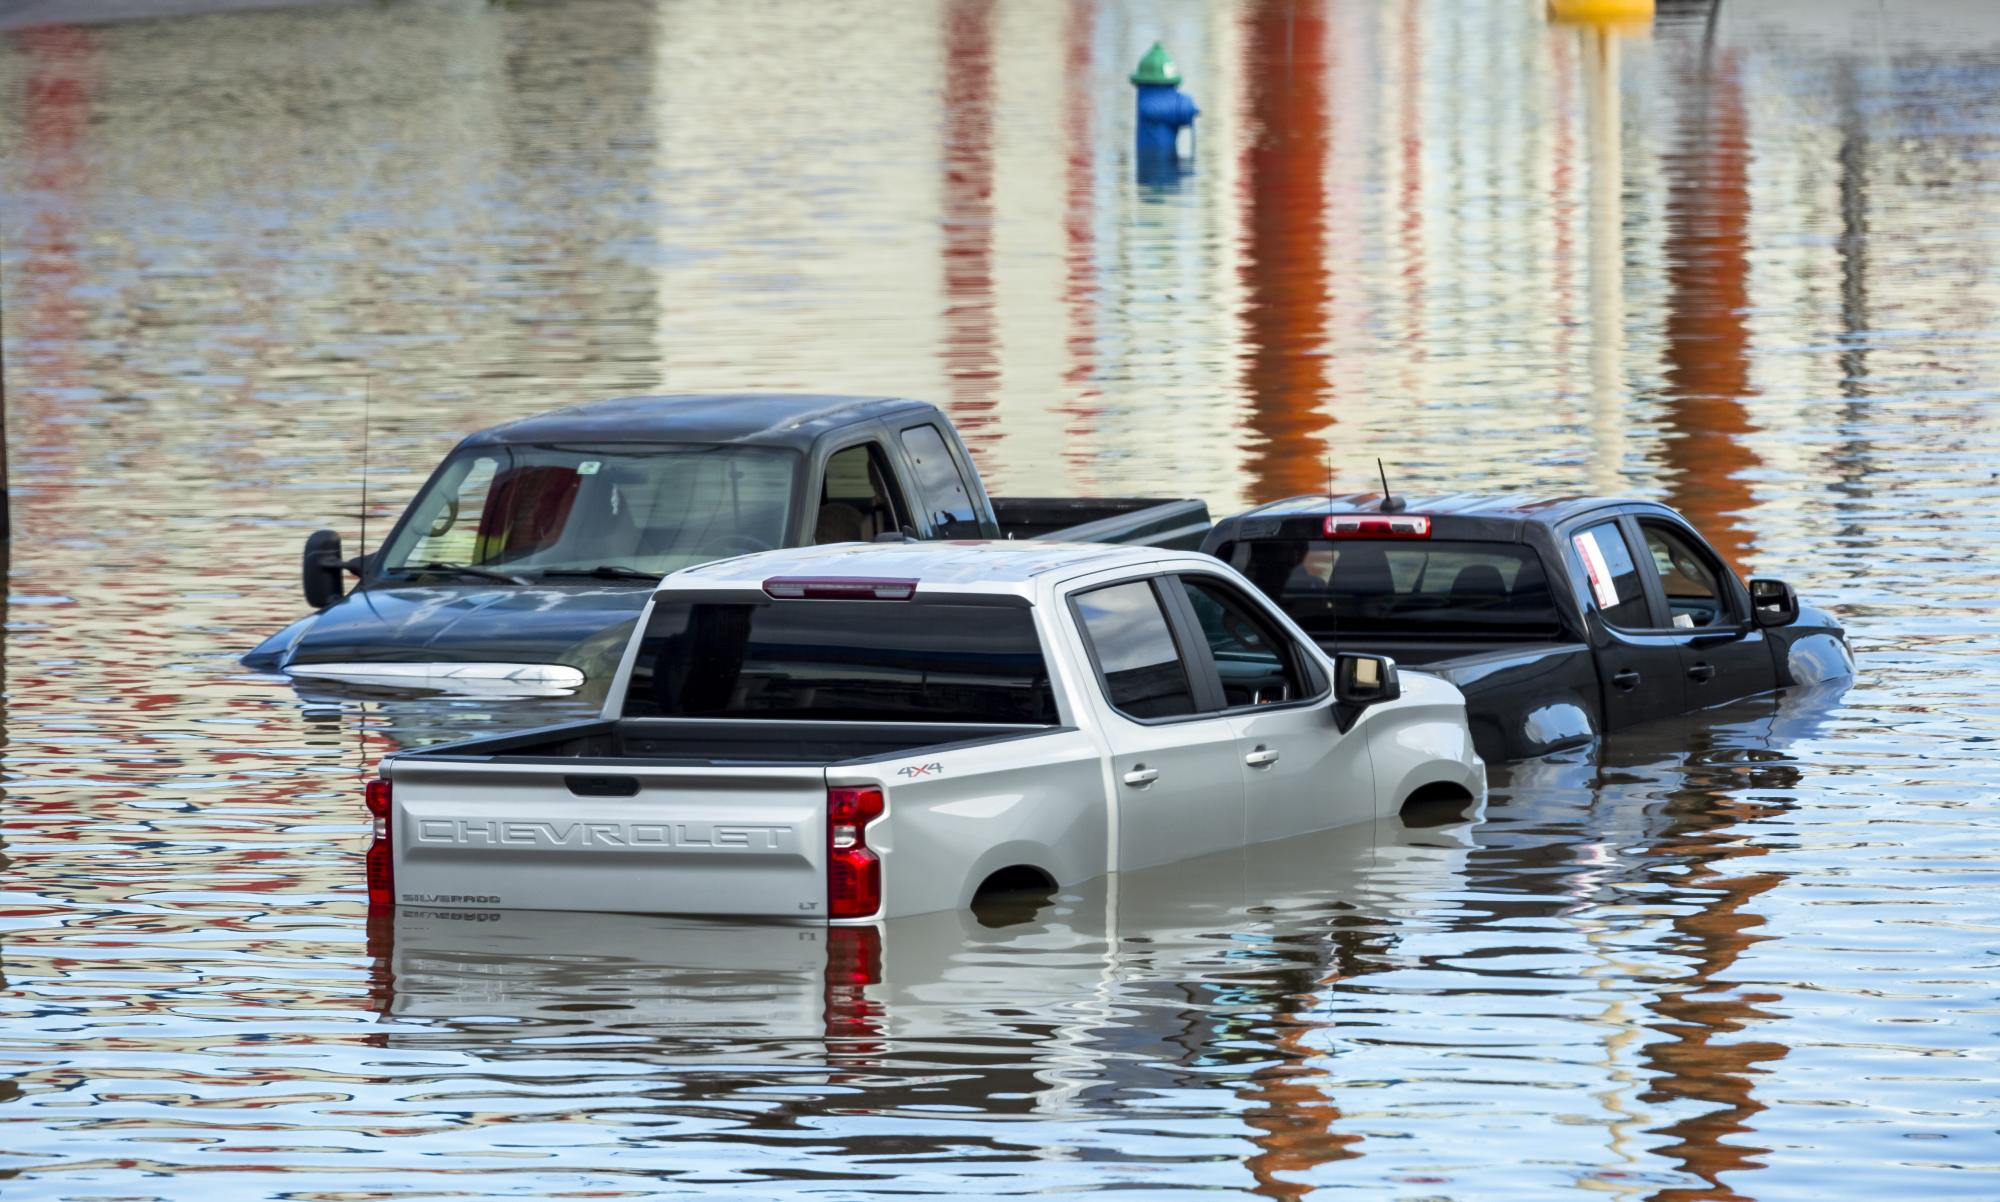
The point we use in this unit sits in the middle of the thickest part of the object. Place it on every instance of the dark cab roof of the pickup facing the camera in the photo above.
(767, 419)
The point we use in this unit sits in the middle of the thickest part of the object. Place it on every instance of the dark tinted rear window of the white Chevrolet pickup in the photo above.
(839, 661)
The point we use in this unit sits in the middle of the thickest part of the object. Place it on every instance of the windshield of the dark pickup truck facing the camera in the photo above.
(527, 511)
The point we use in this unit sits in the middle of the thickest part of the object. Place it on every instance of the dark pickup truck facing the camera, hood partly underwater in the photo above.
(531, 551)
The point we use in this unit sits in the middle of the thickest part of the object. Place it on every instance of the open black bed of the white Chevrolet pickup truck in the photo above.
(719, 743)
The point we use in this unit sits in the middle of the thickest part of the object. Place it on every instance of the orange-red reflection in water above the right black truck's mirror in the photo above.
(1709, 291)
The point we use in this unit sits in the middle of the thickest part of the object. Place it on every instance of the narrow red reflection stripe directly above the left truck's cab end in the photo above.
(971, 349)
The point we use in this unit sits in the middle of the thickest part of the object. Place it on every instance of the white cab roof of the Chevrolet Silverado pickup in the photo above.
(963, 565)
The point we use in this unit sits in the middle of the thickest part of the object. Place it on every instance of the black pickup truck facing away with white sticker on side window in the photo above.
(1559, 619)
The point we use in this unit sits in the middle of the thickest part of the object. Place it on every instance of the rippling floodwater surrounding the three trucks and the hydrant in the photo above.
(1743, 261)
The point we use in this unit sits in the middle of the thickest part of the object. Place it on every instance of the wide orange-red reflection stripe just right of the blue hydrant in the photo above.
(1285, 261)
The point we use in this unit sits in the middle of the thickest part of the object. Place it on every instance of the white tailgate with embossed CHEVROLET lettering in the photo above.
(633, 839)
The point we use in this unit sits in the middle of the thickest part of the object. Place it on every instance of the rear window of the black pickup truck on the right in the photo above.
(1391, 587)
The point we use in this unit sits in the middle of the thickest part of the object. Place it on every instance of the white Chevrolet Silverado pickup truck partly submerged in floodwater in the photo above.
(867, 731)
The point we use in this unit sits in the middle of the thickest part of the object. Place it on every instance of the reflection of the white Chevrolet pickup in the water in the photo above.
(701, 991)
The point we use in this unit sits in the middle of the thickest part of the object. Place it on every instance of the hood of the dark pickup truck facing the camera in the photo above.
(581, 627)
